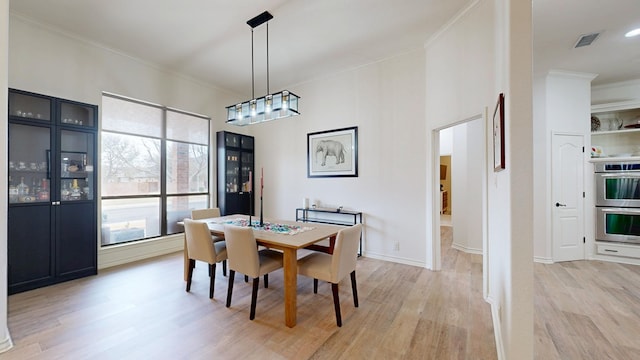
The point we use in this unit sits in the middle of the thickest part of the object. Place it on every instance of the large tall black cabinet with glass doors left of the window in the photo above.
(52, 221)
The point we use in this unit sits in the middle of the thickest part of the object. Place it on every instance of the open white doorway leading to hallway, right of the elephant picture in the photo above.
(464, 181)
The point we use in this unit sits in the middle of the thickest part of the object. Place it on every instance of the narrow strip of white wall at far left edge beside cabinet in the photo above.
(5, 339)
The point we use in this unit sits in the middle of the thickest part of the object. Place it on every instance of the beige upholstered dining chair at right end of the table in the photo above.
(335, 267)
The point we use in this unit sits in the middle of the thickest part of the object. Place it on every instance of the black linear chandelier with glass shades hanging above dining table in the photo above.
(272, 106)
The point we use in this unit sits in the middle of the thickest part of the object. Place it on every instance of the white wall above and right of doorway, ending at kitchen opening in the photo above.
(485, 52)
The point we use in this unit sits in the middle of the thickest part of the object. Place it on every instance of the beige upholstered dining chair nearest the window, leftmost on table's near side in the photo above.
(200, 247)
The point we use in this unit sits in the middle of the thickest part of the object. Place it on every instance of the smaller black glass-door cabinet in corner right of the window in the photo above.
(235, 162)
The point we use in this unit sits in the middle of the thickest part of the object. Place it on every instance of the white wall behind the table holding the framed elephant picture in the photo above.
(385, 101)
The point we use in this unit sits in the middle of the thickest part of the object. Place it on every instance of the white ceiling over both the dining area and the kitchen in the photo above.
(309, 39)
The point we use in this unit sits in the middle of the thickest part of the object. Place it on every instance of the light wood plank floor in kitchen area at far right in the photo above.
(587, 310)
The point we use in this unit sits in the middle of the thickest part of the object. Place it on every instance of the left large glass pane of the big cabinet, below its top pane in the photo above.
(29, 172)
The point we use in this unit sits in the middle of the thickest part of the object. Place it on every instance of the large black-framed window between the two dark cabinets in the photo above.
(154, 168)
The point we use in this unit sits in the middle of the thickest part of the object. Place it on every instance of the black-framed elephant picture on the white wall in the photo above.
(333, 153)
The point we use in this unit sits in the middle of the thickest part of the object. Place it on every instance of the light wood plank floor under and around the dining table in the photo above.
(141, 311)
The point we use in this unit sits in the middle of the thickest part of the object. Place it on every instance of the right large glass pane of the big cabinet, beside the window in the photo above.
(76, 165)
